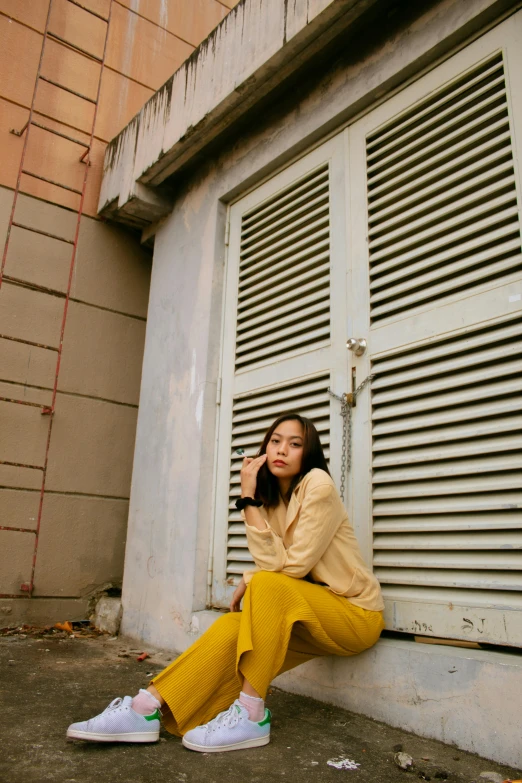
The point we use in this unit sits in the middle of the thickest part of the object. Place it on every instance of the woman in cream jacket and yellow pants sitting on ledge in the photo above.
(311, 594)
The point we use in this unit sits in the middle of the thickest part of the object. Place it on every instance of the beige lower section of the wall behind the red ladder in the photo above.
(84, 514)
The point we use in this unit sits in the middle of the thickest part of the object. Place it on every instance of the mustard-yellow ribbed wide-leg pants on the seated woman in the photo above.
(284, 622)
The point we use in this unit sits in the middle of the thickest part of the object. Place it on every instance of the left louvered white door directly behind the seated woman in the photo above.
(283, 328)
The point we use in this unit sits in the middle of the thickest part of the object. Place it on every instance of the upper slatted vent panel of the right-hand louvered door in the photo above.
(442, 196)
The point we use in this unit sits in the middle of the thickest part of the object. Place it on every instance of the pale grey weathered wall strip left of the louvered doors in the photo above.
(167, 552)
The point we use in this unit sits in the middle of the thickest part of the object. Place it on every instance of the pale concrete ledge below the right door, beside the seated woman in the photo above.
(445, 693)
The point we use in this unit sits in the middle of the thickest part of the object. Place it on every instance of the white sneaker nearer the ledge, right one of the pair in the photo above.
(230, 730)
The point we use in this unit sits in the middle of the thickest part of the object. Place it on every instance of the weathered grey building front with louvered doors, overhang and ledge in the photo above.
(337, 170)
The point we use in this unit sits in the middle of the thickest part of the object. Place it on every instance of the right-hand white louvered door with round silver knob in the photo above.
(439, 282)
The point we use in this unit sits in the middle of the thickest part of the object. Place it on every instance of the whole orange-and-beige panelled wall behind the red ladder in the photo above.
(84, 513)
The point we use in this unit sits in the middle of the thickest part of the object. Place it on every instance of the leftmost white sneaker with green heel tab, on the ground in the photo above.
(118, 723)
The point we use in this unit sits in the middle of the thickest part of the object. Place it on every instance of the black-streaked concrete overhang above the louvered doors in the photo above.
(256, 48)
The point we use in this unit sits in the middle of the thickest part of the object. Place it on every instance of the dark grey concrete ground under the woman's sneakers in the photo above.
(50, 680)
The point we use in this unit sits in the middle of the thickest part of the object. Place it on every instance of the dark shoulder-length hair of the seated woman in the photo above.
(313, 457)
